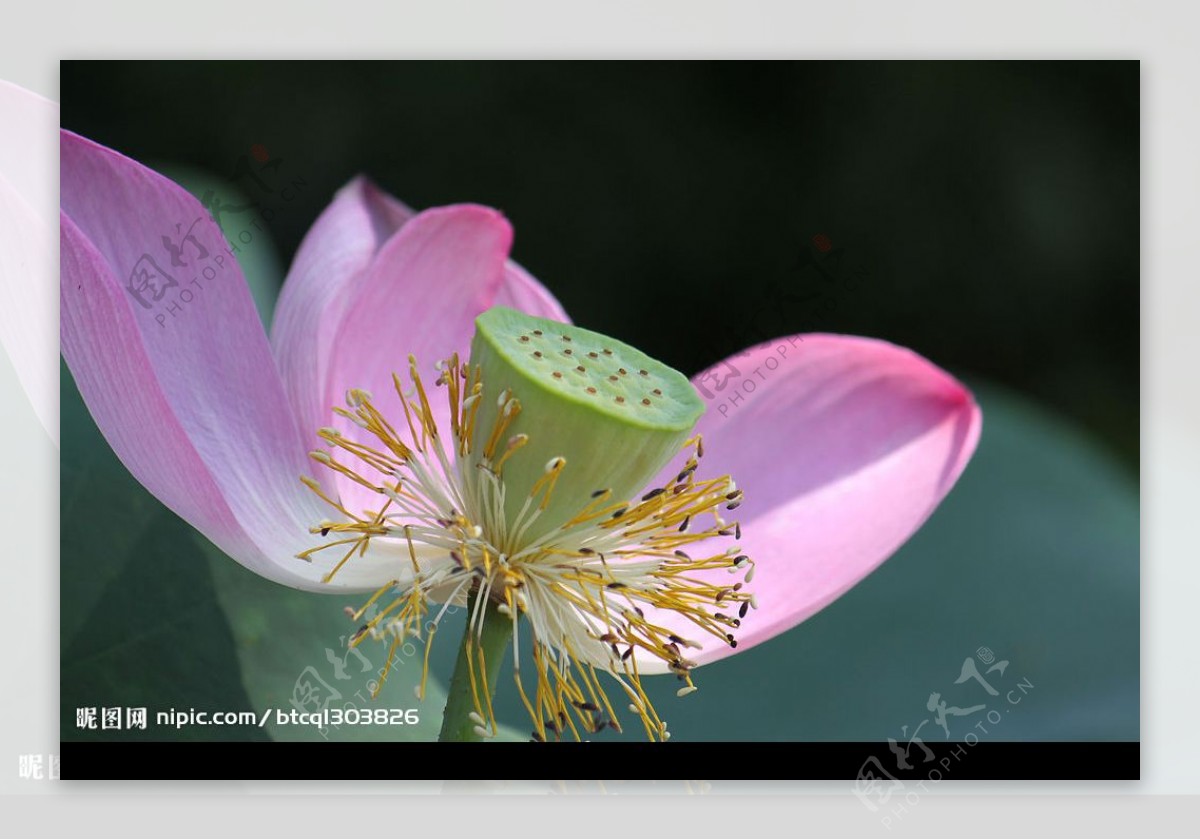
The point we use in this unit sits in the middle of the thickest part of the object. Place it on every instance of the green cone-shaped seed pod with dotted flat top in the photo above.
(614, 415)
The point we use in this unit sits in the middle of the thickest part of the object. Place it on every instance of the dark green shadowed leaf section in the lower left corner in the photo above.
(141, 625)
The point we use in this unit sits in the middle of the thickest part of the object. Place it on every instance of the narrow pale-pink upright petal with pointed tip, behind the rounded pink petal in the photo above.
(334, 256)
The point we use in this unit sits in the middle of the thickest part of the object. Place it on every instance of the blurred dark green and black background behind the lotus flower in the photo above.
(991, 211)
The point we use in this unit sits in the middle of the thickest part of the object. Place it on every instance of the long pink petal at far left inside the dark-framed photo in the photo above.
(161, 335)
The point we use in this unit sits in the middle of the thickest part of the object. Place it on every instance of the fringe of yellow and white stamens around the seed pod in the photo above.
(587, 589)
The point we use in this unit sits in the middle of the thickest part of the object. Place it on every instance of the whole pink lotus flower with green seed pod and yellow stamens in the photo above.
(483, 448)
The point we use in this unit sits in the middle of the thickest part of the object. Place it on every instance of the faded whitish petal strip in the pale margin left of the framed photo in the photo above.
(28, 173)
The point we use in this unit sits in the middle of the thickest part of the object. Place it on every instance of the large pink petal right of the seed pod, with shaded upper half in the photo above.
(843, 447)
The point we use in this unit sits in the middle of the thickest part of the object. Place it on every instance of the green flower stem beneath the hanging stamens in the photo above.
(491, 641)
